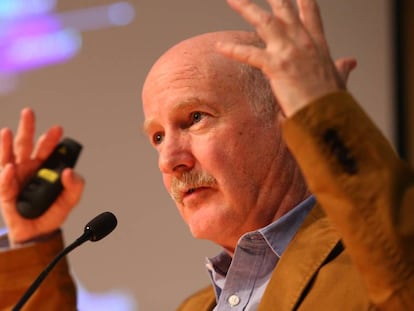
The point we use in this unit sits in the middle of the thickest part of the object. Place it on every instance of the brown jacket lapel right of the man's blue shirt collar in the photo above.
(300, 261)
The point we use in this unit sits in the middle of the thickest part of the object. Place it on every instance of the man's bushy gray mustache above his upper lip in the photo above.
(188, 180)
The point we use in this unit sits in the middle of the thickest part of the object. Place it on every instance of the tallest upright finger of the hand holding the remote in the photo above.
(24, 136)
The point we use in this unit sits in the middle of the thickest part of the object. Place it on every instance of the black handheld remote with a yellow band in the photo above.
(45, 185)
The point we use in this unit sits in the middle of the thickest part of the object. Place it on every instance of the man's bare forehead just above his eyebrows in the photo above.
(180, 81)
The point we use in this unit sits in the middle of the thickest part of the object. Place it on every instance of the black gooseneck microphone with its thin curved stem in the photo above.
(95, 230)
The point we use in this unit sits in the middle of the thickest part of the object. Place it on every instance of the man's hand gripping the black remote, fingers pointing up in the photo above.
(19, 159)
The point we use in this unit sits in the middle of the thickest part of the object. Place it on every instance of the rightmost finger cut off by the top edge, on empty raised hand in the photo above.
(311, 18)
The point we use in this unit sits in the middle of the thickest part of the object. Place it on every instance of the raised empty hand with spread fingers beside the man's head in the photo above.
(296, 57)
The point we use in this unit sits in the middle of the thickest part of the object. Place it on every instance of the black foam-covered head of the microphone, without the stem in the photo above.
(100, 226)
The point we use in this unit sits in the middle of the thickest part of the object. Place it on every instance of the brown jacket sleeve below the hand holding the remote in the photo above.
(20, 267)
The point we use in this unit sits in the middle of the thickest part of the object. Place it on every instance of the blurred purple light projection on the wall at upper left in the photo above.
(32, 35)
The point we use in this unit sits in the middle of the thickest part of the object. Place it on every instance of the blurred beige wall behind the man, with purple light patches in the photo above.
(88, 78)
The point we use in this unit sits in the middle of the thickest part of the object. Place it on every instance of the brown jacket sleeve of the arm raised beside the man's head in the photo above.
(364, 188)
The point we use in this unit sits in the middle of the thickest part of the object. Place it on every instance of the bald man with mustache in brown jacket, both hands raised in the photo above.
(235, 182)
